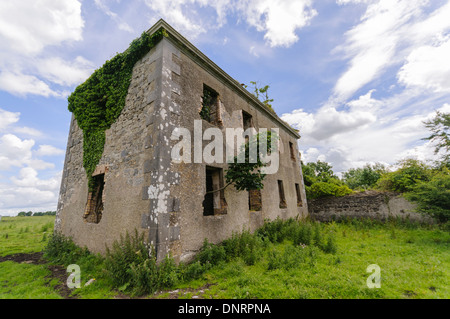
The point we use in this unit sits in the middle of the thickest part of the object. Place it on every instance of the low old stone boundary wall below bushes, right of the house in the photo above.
(370, 204)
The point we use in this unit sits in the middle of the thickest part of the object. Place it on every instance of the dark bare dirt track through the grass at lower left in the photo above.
(58, 272)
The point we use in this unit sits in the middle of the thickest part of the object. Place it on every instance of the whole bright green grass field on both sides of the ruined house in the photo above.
(414, 262)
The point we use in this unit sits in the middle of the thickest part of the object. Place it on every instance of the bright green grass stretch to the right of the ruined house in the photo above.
(414, 262)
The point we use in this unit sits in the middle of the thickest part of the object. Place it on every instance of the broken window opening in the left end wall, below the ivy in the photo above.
(94, 206)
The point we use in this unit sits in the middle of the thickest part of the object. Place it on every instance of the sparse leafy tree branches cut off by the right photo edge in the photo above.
(440, 129)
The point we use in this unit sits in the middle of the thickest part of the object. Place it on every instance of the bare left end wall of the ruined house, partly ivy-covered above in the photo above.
(128, 147)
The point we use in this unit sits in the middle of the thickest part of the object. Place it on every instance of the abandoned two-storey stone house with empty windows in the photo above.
(139, 186)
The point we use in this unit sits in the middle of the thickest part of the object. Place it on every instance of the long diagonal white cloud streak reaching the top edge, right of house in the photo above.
(371, 45)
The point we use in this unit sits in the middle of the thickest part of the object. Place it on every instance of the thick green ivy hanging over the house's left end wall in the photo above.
(98, 102)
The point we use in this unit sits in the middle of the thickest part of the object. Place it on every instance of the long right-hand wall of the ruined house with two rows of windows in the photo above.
(195, 227)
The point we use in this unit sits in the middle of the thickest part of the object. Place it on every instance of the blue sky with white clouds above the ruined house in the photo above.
(357, 77)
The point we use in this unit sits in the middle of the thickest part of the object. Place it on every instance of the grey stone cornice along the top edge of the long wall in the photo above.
(202, 59)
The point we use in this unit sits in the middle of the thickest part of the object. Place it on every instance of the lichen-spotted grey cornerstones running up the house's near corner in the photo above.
(164, 119)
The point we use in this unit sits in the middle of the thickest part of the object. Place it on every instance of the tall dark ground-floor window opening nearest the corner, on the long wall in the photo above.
(214, 202)
